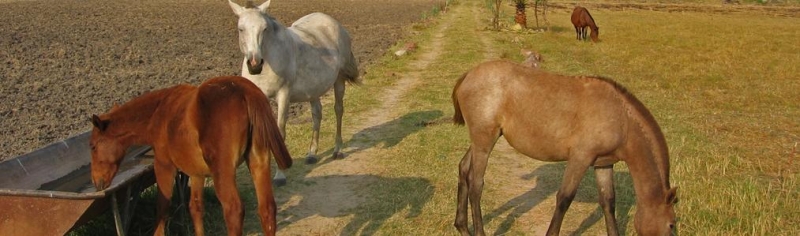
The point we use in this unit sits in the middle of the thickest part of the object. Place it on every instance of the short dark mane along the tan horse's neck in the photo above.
(657, 139)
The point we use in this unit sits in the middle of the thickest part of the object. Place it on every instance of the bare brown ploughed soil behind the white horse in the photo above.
(62, 61)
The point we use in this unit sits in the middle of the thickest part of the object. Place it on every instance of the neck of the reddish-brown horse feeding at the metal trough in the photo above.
(131, 120)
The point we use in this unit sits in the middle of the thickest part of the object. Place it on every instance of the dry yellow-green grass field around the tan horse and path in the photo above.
(723, 86)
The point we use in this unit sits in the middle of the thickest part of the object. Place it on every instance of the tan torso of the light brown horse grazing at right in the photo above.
(542, 115)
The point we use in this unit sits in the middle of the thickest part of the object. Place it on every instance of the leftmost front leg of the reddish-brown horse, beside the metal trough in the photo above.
(165, 177)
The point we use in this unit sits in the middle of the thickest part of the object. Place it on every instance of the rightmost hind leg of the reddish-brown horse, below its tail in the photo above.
(258, 163)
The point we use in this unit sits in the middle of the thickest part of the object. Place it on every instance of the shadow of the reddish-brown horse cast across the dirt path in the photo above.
(336, 196)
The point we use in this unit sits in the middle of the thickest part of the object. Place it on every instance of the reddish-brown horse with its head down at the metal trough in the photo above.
(202, 131)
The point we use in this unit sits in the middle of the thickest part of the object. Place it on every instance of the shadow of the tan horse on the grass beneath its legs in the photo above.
(544, 189)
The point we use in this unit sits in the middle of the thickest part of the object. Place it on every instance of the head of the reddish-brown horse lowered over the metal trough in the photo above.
(107, 153)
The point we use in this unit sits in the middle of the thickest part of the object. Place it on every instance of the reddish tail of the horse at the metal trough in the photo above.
(264, 128)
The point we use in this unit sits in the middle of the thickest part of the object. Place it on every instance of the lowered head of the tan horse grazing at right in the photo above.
(657, 217)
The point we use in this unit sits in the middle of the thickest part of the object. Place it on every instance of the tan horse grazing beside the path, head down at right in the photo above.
(585, 121)
